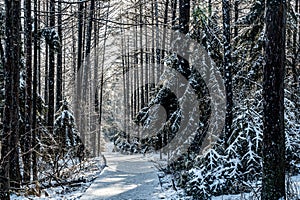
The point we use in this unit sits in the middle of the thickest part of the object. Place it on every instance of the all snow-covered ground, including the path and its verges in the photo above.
(131, 177)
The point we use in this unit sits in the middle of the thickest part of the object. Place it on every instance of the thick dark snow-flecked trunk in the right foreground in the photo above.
(273, 181)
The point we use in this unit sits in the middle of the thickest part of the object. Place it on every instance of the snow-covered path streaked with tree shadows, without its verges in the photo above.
(128, 177)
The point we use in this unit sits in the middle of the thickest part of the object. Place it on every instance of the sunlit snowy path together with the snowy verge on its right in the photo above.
(133, 177)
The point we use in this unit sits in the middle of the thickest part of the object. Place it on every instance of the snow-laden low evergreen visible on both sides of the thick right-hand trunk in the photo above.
(238, 168)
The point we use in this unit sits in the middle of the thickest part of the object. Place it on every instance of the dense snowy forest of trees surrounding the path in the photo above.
(212, 86)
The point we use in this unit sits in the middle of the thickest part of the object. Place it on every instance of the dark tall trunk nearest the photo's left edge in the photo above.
(10, 172)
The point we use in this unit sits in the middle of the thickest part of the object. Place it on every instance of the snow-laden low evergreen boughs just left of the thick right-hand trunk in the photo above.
(236, 168)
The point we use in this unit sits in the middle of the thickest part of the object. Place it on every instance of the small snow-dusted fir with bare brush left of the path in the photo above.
(60, 151)
